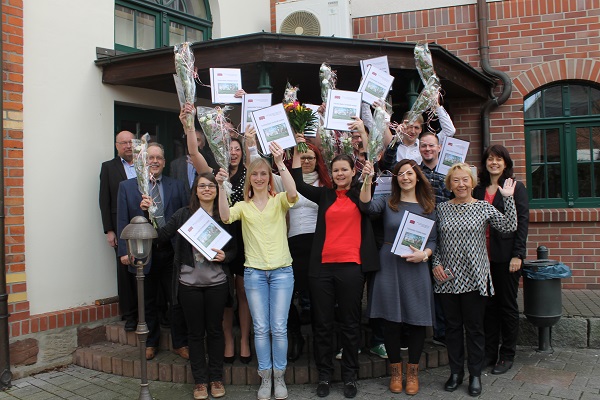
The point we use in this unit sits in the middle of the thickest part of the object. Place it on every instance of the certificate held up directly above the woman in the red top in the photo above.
(342, 105)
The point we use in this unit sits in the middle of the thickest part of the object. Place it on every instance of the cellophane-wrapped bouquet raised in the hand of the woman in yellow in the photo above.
(214, 125)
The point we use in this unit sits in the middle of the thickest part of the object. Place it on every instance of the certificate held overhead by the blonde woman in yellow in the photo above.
(272, 125)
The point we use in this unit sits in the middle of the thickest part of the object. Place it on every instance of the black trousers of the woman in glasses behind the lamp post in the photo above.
(203, 309)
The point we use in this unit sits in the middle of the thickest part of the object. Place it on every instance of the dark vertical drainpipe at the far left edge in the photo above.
(5, 374)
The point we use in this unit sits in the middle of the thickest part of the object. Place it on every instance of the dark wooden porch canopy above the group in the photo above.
(269, 60)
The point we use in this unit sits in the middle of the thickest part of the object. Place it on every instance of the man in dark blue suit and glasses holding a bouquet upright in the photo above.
(169, 195)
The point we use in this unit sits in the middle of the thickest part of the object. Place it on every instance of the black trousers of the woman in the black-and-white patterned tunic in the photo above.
(464, 312)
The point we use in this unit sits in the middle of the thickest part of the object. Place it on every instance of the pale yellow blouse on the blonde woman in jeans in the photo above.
(264, 232)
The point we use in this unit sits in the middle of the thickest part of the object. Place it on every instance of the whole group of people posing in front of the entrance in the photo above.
(306, 229)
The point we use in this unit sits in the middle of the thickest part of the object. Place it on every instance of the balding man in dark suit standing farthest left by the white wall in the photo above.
(112, 173)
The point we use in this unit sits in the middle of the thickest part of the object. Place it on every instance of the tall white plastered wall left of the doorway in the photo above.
(68, 133)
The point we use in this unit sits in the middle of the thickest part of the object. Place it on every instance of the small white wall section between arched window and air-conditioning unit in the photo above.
(239, 17)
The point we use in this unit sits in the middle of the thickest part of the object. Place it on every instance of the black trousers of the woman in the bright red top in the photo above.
(341, 284)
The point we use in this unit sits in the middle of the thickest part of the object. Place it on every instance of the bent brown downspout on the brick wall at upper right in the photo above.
(484, 51)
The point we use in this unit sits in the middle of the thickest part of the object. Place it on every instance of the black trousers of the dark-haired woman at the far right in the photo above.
(502, 314)
